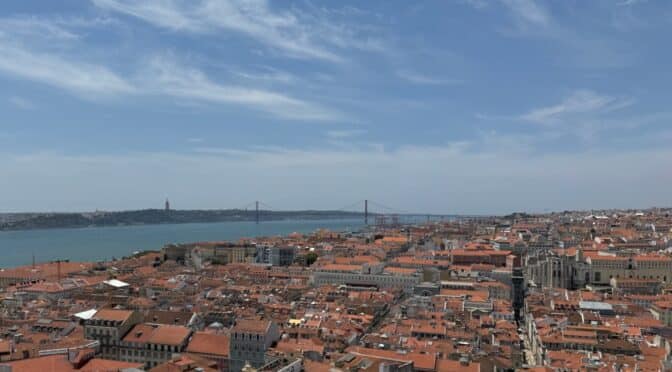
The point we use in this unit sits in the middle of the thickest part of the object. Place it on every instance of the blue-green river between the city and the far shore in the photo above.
(102, 243)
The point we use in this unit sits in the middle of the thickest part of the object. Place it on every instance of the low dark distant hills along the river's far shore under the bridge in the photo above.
(28, 221)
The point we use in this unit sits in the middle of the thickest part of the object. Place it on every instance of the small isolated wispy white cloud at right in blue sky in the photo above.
(579, 102)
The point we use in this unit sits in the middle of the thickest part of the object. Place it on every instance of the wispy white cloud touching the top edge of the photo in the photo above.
(298, 34)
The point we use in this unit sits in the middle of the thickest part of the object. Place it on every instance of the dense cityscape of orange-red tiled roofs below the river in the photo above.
(569, 291)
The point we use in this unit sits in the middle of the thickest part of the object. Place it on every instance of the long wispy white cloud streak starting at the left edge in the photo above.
(24, 55)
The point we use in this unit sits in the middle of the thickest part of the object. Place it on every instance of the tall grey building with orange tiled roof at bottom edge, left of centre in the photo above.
(249, 341)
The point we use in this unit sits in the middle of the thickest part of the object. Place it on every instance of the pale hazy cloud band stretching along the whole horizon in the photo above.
(439, 179)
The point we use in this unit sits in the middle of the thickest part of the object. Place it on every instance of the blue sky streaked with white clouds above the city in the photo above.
(448, 107)
